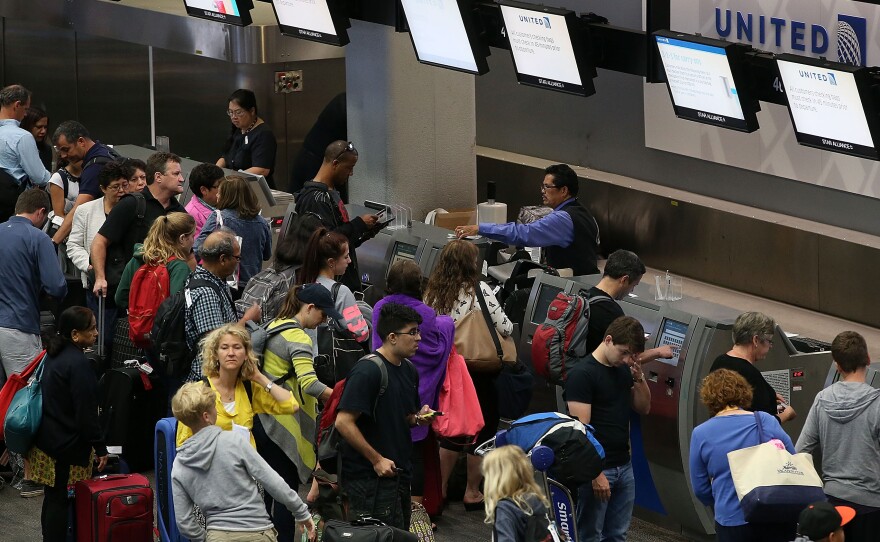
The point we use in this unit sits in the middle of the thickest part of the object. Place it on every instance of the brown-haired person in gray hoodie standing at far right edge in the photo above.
(844, 424)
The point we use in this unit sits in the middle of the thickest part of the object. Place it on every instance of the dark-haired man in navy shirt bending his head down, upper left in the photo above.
(74, 143)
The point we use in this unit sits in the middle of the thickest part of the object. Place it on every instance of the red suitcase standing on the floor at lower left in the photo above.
(114, 508)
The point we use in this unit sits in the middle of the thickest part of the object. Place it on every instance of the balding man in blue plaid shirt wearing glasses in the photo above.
(209, 303)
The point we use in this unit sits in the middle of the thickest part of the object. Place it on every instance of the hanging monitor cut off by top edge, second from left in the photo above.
(317, 20)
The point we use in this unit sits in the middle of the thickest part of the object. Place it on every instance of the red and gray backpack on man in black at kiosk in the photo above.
(562, 338)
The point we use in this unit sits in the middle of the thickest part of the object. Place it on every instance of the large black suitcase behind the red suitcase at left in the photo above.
(131, 402)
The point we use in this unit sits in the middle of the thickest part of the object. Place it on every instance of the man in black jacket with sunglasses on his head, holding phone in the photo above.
(321, 196)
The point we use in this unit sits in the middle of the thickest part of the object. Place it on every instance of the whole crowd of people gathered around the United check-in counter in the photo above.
(110, 226)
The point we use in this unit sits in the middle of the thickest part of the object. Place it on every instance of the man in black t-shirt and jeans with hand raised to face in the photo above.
(600, 390)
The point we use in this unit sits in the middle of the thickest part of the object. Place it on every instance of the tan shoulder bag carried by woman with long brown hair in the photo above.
(477, 340)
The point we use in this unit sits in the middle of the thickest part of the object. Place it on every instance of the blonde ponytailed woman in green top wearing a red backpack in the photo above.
(169, 242)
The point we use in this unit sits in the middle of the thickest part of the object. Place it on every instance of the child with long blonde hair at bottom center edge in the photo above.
(514, 502)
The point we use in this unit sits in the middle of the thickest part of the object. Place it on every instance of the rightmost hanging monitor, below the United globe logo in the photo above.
(830, 104)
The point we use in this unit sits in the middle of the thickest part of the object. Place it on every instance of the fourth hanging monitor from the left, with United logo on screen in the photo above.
(548, 47)
